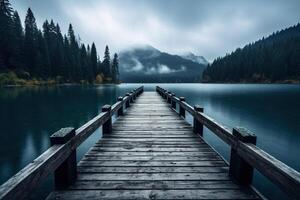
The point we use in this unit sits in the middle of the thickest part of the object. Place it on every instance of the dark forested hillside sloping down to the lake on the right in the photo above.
(272, 59)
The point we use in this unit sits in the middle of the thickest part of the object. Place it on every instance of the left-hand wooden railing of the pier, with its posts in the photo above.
(59, 158)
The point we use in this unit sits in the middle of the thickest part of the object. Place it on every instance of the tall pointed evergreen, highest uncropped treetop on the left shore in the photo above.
(30, 43)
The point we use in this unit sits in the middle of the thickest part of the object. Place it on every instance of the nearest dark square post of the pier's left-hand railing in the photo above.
(66, 173)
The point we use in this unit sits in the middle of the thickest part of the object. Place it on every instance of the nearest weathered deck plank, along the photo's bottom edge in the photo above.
(154, 194)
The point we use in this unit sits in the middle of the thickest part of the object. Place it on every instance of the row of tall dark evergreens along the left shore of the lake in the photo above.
(48, 54)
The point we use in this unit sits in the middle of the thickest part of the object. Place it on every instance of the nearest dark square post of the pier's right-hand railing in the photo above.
(239, 169)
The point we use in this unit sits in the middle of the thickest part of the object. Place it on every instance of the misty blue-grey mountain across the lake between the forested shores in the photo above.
(147, 64)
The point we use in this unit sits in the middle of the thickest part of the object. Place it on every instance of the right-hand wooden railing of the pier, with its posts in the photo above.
(244, 154)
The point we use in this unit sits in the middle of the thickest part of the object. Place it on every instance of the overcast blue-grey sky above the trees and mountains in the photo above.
(210, 28)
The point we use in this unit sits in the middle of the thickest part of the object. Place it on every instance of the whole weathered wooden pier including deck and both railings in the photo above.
(151, 152)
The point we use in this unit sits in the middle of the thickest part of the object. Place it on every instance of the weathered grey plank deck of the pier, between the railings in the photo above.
(152, 153)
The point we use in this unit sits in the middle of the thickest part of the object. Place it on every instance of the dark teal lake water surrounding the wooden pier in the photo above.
(28, 116)
